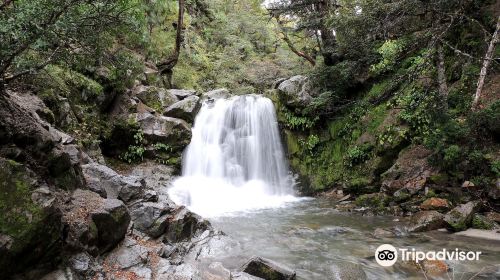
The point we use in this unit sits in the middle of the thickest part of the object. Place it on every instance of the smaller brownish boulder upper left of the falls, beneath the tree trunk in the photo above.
(154, 97)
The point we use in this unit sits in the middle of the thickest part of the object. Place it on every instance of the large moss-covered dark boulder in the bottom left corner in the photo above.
(30, 221)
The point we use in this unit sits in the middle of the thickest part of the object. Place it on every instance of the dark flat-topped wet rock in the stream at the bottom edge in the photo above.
(268, 269)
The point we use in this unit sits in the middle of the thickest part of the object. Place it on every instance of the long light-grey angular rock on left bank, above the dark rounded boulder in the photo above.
(106, 182)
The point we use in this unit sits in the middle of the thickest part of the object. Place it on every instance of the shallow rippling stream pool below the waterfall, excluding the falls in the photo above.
(313, 238)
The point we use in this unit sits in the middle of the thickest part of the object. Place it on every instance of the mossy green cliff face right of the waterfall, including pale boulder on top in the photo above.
(373, 152)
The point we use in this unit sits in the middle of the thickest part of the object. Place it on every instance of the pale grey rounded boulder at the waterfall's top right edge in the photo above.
(296, 92)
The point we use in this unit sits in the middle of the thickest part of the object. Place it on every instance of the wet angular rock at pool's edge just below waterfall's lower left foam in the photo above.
(183, 225)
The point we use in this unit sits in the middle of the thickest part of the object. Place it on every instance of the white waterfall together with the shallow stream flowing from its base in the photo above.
(235, 174)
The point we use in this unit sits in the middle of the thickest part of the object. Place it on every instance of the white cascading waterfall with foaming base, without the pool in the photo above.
(235, 161)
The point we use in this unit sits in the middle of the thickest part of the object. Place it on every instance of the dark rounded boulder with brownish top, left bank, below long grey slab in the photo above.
(111, 221)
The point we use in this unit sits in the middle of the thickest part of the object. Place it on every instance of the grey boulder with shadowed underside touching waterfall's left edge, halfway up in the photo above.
(171, 131)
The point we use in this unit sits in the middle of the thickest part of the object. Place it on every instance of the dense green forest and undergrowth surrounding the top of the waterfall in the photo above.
(388, 74)
